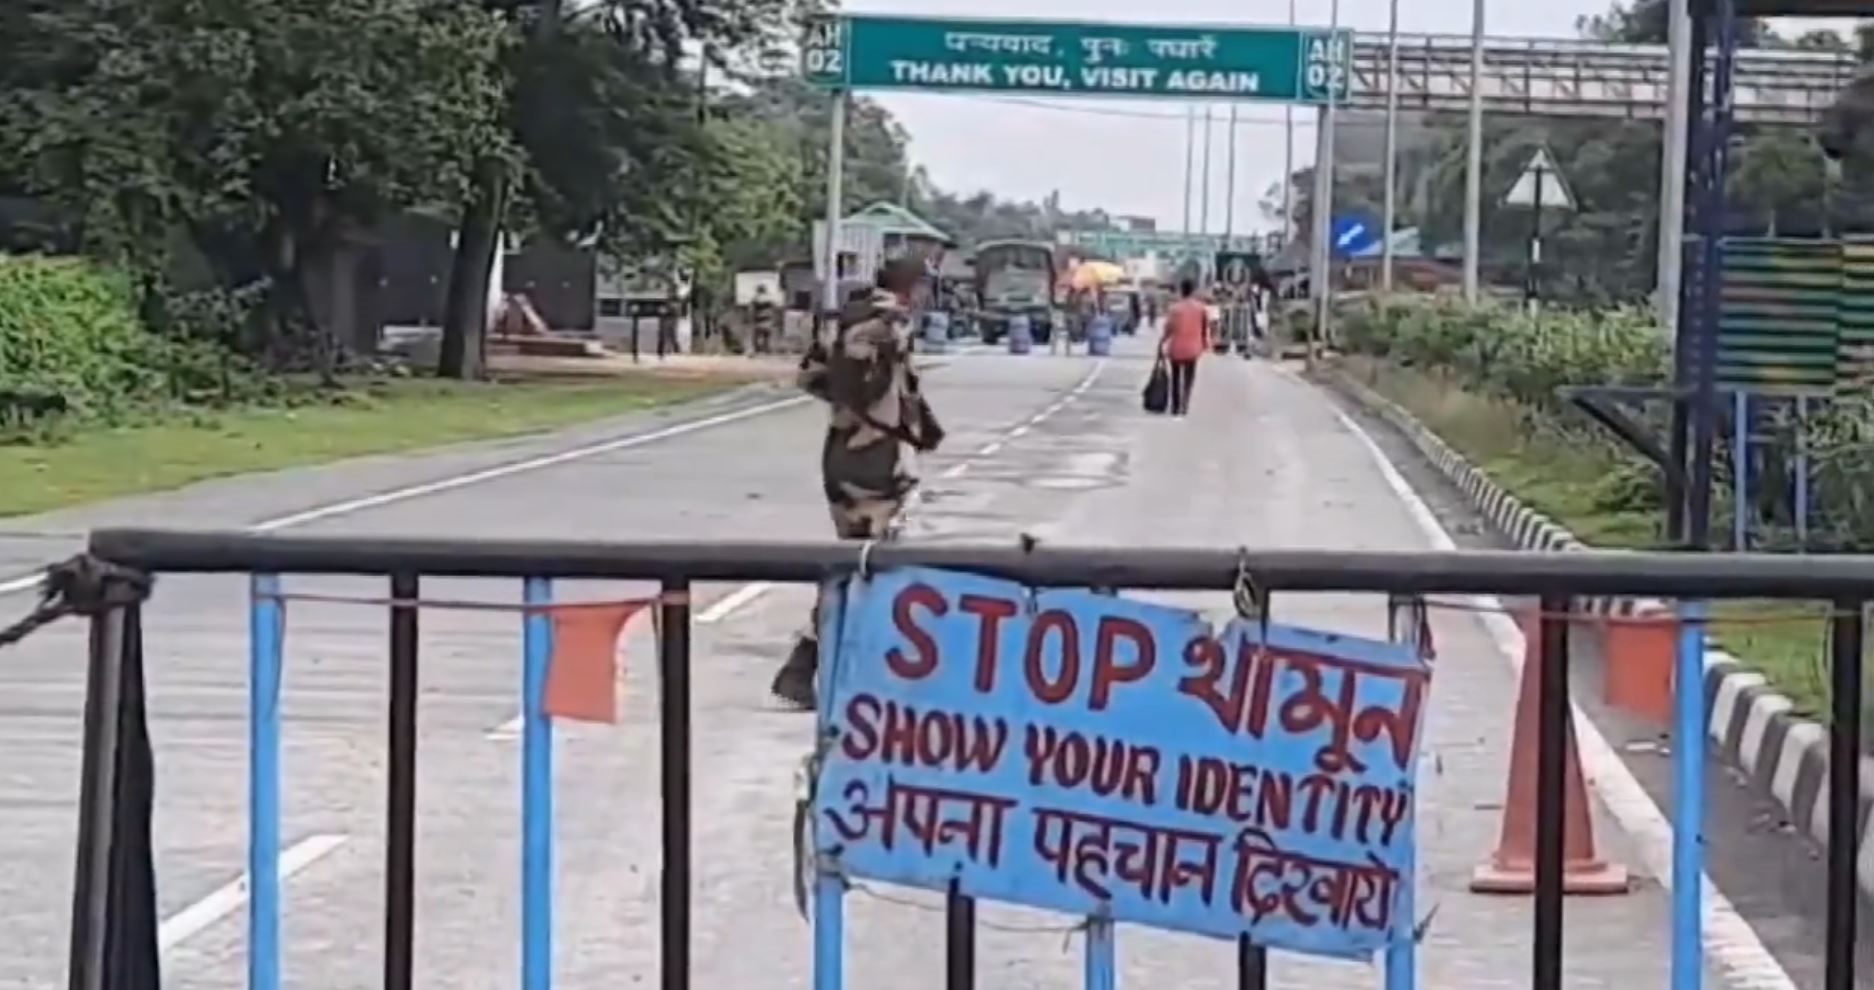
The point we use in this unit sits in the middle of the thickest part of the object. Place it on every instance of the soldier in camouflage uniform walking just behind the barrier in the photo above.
(878, 425)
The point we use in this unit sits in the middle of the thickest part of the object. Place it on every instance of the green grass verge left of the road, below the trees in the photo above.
(379, 417)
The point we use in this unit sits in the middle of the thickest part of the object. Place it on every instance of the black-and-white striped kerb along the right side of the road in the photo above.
(1749, 723)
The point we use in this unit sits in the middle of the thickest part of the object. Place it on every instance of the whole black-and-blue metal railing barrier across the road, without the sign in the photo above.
(113, 944)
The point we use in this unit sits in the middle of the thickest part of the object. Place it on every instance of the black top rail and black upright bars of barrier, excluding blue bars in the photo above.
(108, 888)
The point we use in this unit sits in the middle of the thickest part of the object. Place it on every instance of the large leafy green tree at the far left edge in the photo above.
(261, 132)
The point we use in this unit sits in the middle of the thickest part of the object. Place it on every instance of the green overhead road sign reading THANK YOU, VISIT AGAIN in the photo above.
(1078, 59)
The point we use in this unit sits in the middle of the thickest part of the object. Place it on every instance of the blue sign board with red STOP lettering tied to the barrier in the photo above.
(1120, 760)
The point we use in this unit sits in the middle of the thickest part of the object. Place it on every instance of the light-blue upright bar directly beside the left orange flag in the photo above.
(537, 790)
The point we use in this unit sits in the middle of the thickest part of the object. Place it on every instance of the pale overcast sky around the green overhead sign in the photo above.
(1129, 157)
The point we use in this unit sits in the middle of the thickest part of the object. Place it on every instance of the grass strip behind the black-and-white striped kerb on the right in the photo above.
(1566, 479)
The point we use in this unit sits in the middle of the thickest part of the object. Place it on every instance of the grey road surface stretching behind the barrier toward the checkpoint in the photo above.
(1054, 447)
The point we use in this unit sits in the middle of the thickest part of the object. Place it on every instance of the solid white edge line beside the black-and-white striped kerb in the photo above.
(1731, 942)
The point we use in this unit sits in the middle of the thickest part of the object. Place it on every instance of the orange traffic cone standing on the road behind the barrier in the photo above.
(1511, 869)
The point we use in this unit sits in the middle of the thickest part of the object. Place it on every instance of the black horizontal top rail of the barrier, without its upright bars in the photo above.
(1403, 573)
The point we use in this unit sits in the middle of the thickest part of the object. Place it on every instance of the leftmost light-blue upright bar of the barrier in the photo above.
(267, 625)
